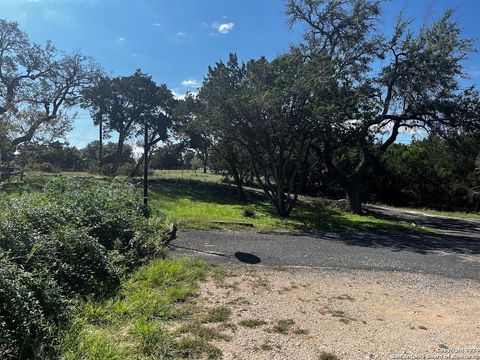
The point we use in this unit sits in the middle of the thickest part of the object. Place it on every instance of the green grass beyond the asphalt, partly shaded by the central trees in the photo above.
(198, 200)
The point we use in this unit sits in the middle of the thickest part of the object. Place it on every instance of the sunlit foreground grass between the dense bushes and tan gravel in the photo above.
(137, 324)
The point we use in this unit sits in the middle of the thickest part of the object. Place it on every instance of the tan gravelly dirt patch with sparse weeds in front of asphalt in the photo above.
(300, 314)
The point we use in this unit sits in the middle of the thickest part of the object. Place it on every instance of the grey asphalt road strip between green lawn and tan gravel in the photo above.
(455, 254)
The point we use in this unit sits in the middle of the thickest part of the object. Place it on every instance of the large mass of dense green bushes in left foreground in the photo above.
(73, 240)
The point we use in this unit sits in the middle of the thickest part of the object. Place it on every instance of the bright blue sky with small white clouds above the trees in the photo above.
(176, 40)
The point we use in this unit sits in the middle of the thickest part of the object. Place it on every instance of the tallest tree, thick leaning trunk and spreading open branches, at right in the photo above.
(383, 84)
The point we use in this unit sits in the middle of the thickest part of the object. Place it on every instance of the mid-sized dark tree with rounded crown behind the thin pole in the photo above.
(125, 104)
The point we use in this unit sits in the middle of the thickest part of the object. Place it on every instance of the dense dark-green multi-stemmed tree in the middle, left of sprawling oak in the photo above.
(262, 107)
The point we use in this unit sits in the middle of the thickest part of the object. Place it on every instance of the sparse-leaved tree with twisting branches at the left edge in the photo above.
(37, 87)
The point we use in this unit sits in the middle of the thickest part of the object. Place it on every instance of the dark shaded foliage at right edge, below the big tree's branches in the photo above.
(434, 172)
